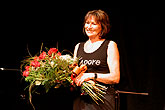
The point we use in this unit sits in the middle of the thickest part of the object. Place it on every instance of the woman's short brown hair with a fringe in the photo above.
(102, 18)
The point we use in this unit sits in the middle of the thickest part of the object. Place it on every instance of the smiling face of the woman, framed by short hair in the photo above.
(92, 27)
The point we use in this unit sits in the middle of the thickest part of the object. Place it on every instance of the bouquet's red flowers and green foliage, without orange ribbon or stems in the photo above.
(49, 69)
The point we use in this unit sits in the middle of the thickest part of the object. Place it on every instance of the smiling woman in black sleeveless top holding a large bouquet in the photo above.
(101, 56)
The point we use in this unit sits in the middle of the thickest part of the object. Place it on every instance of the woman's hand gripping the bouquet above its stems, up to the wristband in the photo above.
(83, 77)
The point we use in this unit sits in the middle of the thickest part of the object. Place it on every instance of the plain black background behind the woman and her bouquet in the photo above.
(137, 29)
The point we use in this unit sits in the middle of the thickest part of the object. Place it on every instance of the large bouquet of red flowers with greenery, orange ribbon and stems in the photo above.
(51, 69)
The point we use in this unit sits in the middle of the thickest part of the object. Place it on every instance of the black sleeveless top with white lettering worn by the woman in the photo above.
(95, 61)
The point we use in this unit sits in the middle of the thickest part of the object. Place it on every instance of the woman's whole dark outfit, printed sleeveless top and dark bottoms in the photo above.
(96, 62)
